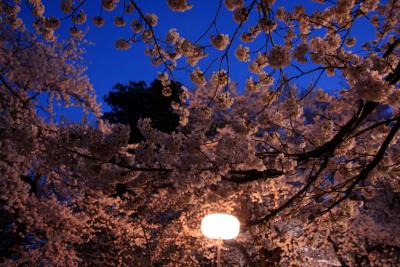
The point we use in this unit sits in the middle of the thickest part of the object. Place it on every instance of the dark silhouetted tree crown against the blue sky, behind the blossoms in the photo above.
(135, 100)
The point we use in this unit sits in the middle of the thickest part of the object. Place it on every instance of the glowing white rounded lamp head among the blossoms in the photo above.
(220, 226)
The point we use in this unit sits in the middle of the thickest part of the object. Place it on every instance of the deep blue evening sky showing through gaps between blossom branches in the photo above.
(107, 65)
